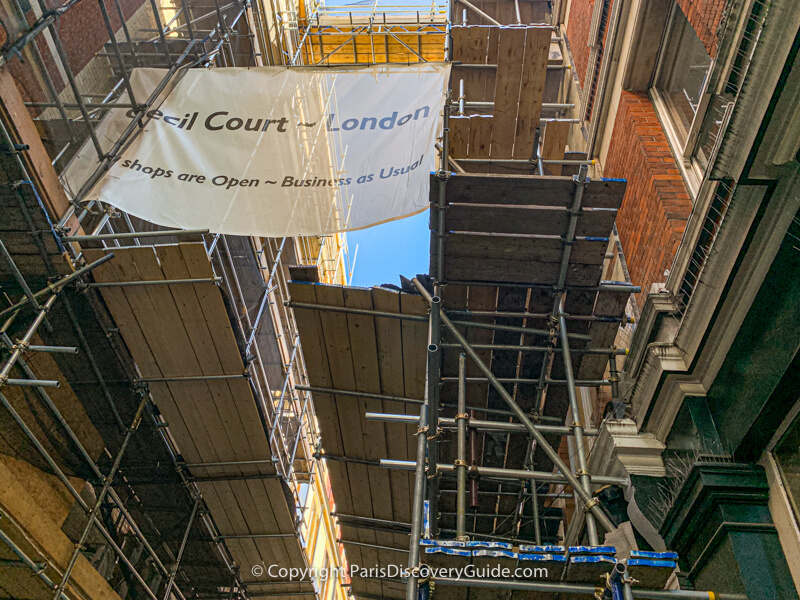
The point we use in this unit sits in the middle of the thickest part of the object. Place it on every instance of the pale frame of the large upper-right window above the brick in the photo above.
(685, 153)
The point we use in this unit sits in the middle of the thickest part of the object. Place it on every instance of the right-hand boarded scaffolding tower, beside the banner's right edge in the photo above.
(514, 322)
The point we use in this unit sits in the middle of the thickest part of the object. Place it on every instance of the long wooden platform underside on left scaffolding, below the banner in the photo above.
(184, 330)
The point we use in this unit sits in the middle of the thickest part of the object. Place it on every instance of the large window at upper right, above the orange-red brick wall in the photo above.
(682, 74)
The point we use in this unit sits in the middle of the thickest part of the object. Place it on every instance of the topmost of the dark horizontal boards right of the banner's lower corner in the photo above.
(530, 189)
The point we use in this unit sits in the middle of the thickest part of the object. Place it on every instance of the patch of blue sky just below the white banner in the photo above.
(387, 251)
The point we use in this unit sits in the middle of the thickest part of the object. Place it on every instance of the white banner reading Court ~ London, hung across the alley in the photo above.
(272, 151)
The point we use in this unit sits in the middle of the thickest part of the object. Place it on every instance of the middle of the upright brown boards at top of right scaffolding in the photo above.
(510, 56)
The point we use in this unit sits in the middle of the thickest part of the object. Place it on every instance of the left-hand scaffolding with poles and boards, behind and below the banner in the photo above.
(150, 525)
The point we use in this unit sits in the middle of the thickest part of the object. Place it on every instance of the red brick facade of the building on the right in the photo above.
(658, 201)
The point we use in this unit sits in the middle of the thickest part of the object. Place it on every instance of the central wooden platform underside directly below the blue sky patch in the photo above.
(371, 355)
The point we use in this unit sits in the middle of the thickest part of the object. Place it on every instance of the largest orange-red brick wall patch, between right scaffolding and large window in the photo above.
(657, 204)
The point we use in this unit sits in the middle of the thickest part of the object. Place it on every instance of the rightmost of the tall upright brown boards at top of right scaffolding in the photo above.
(534, 76)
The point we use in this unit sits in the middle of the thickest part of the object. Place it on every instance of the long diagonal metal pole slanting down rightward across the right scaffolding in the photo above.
(520, 414)
